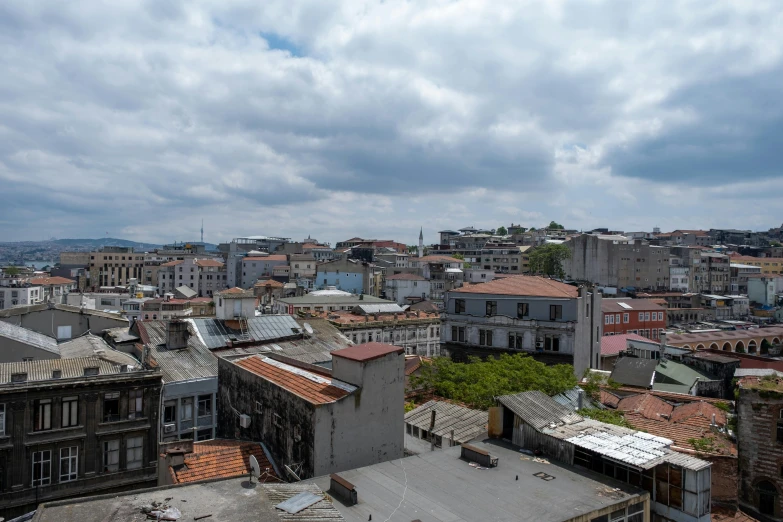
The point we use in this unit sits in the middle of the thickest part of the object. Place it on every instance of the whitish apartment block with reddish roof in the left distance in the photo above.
(205, 276)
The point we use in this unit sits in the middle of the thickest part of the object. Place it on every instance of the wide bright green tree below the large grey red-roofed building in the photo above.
(478, 382)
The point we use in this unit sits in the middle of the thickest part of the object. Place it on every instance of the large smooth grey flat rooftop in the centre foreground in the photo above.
(439, 486)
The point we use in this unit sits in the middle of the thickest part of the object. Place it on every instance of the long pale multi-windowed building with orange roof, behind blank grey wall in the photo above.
(418, 333)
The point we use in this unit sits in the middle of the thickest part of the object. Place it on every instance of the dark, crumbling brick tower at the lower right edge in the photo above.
(760, 444)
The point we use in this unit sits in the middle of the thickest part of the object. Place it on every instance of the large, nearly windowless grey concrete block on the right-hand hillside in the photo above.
(617, 262)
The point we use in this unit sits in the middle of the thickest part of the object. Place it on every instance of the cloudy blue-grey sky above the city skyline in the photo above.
(339, 118)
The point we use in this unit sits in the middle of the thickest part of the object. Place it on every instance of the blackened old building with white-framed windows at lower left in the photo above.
(74, 427)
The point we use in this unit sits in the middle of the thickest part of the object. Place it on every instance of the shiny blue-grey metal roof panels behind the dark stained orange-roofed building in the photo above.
(214, 332)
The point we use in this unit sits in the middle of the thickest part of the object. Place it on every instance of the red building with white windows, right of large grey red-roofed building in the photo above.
(644, 317)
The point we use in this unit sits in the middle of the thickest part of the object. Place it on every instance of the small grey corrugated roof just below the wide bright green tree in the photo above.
(466, 423)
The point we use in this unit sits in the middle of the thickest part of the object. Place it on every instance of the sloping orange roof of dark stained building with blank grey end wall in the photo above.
(316, 390)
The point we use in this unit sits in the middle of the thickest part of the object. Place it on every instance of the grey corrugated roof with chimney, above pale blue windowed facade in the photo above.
(193, 362)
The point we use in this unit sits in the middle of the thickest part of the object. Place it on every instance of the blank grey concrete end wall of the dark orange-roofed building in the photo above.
(367, 427)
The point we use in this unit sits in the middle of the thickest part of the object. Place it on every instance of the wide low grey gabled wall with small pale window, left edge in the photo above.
(47, 321)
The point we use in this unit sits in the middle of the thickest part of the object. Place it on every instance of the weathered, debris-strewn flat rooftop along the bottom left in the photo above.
(226, 500)
